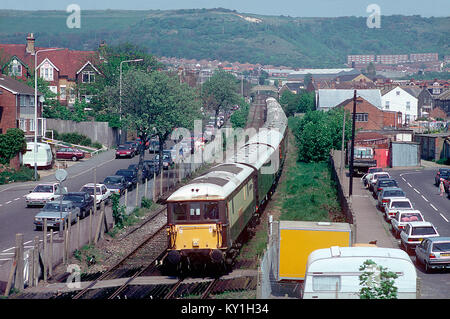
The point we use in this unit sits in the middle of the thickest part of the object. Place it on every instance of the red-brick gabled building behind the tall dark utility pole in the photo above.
(370, 117)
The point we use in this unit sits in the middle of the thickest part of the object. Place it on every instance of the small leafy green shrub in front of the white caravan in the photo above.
(377, 282)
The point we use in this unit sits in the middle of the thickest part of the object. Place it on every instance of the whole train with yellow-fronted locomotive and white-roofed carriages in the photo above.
(210, 216)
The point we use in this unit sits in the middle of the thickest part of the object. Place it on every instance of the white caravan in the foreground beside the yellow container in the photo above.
(333, 273)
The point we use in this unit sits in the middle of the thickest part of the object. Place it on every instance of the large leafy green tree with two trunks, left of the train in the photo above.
(153, 104)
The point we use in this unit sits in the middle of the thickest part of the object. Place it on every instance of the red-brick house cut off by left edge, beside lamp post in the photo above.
(17, 109)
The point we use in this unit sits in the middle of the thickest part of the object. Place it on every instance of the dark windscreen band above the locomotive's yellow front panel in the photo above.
(194, 211)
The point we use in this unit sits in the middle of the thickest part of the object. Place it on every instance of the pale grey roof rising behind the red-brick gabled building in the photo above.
(329, 98)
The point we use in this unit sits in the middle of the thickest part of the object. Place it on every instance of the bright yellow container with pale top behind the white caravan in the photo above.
(297, 239)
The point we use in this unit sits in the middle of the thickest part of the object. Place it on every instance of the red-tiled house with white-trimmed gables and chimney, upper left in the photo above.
(64, 69)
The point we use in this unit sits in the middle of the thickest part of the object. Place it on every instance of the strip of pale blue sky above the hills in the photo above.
(293, 8)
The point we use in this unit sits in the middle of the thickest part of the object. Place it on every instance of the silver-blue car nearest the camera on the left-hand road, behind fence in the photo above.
(52, 211)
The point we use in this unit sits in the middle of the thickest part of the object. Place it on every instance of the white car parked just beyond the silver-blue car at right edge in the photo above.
(414, 233)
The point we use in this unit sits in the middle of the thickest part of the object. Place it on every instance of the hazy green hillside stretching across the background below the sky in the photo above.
(228, 35)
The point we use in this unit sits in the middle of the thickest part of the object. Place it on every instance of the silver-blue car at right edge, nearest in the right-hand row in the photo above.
(434, 253)
